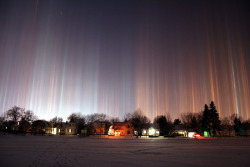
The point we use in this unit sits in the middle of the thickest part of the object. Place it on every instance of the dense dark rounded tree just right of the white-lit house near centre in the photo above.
(164, 123)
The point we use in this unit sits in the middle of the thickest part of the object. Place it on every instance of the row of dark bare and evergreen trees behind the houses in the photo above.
(207, 120)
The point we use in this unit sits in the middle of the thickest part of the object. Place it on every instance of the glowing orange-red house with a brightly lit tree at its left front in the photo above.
(121, 129)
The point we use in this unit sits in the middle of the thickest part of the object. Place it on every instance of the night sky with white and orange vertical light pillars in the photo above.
(63, 56)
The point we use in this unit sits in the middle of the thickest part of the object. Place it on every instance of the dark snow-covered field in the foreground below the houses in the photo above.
(52, 151)
